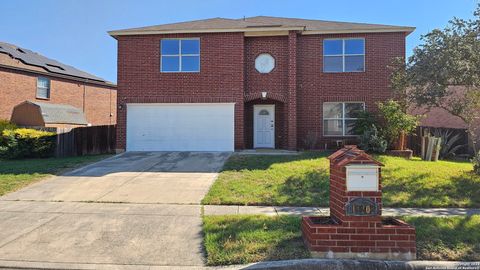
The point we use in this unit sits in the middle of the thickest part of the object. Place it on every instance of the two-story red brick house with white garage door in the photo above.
(260, 82)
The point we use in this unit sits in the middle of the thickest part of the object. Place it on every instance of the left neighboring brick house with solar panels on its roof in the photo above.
(29, 76)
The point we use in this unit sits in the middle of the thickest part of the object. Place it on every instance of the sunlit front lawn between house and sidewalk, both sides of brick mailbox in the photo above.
(303, 181)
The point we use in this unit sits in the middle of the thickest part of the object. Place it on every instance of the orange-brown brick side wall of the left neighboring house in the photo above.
(97, 101)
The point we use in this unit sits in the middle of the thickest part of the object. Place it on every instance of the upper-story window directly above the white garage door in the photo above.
(180, 55)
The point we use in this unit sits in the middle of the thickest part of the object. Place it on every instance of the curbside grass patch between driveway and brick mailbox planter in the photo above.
(252, 238)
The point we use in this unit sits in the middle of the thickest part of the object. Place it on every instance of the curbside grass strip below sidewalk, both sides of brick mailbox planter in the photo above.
(244, 239)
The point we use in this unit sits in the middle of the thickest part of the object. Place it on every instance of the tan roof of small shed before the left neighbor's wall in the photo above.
(58, 113)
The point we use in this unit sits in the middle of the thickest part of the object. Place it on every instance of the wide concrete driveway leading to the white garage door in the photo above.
(133, 210)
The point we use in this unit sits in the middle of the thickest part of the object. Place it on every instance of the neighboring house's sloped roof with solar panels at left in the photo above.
(31, 58)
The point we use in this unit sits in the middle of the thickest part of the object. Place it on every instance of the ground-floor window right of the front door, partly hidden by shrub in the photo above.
(339, 117)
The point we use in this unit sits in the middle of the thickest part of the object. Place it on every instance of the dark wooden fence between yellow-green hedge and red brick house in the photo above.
(86, 141)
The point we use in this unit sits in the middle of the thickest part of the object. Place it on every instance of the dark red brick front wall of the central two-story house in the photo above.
(297, 85)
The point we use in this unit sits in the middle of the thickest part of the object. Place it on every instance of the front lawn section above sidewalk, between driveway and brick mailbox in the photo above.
(272, 180)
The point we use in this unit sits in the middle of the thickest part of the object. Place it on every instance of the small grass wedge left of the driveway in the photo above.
(16, 174)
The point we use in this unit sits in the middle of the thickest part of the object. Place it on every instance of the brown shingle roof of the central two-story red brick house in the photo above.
(261, 23)
